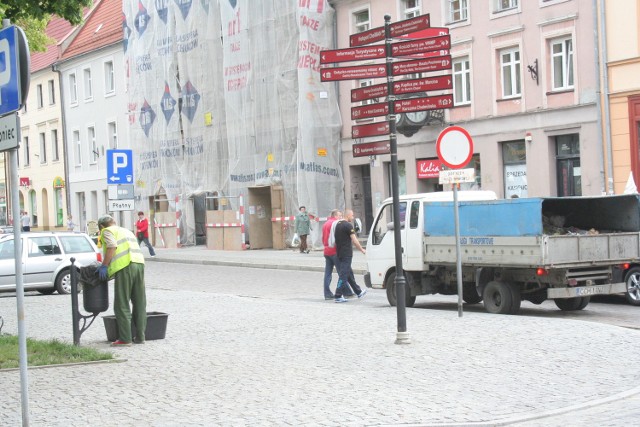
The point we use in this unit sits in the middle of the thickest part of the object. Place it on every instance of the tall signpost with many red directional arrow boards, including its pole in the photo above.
(432, 48)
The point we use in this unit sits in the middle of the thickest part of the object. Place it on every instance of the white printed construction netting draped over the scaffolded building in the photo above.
(225, 95)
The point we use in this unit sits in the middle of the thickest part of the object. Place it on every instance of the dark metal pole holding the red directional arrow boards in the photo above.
(402, 336)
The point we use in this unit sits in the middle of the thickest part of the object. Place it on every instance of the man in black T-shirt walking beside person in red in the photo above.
(345, 236)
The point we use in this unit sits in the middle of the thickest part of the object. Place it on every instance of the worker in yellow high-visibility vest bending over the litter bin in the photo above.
(122, 259)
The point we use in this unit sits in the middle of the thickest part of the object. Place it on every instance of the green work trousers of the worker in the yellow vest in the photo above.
(129, 286)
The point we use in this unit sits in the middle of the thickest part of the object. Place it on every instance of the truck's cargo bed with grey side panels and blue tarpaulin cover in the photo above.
(536, 232)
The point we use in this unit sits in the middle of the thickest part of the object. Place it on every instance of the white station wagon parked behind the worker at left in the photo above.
(46, 260)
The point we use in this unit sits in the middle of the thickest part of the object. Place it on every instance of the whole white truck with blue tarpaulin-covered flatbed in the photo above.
(533, 249)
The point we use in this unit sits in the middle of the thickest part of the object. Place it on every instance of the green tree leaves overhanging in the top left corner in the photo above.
(71, 10)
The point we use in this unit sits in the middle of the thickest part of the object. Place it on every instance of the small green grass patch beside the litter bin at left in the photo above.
(41, 353)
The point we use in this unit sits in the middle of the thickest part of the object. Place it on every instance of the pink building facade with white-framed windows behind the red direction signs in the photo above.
(525, 86)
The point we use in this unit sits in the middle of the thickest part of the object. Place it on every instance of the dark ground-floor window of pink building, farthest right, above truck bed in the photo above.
(568, 165)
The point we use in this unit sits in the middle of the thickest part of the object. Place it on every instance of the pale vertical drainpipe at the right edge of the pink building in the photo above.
(605, 77)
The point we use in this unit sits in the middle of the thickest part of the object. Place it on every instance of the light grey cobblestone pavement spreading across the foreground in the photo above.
(237, 359)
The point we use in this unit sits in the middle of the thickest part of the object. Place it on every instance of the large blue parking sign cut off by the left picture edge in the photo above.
(10, 93)
